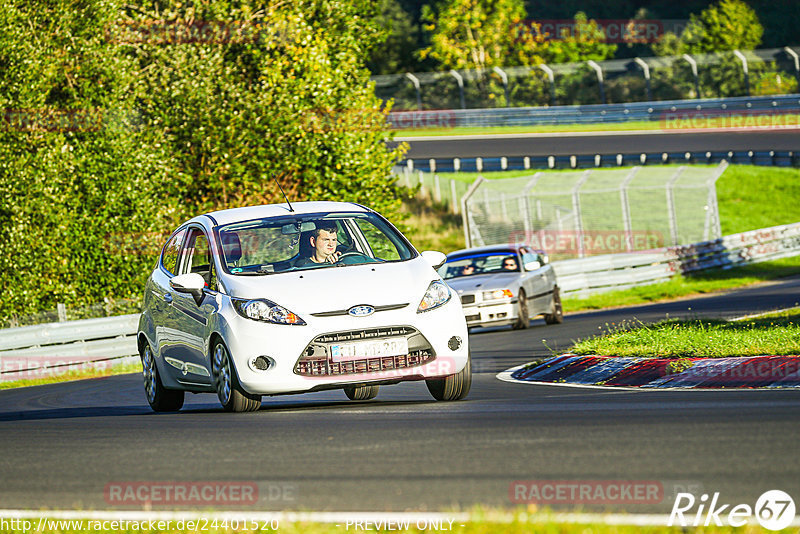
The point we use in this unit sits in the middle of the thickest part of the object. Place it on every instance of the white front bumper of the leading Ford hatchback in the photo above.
(429, 354)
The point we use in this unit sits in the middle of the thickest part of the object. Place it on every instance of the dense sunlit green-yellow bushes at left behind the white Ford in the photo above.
(116, 130)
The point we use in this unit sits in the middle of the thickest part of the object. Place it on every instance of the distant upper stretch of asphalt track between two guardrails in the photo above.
(565, 144)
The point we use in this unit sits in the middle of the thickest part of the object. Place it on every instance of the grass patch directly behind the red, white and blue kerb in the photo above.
(774, 334)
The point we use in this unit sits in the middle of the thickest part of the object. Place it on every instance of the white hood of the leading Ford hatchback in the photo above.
(339, 288)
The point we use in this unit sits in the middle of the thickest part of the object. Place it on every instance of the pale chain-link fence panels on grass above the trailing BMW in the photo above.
(574, 214)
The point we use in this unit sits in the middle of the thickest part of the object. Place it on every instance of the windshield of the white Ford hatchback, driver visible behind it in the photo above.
(296, 243)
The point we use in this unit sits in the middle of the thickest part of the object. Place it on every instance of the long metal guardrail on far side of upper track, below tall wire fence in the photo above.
(592, 113)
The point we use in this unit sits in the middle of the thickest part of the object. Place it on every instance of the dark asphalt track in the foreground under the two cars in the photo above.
(64, 444)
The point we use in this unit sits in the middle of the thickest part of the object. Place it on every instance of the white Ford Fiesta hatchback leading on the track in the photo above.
(294, 298)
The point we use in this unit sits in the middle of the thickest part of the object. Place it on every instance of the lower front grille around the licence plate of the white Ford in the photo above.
(315, 360)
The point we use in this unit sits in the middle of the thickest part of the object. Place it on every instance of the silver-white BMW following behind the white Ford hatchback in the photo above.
(504, 284)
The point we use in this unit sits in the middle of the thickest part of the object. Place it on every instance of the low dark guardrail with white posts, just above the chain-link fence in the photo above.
(773, 158)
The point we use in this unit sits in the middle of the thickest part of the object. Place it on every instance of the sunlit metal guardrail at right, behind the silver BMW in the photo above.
(585, 276)
